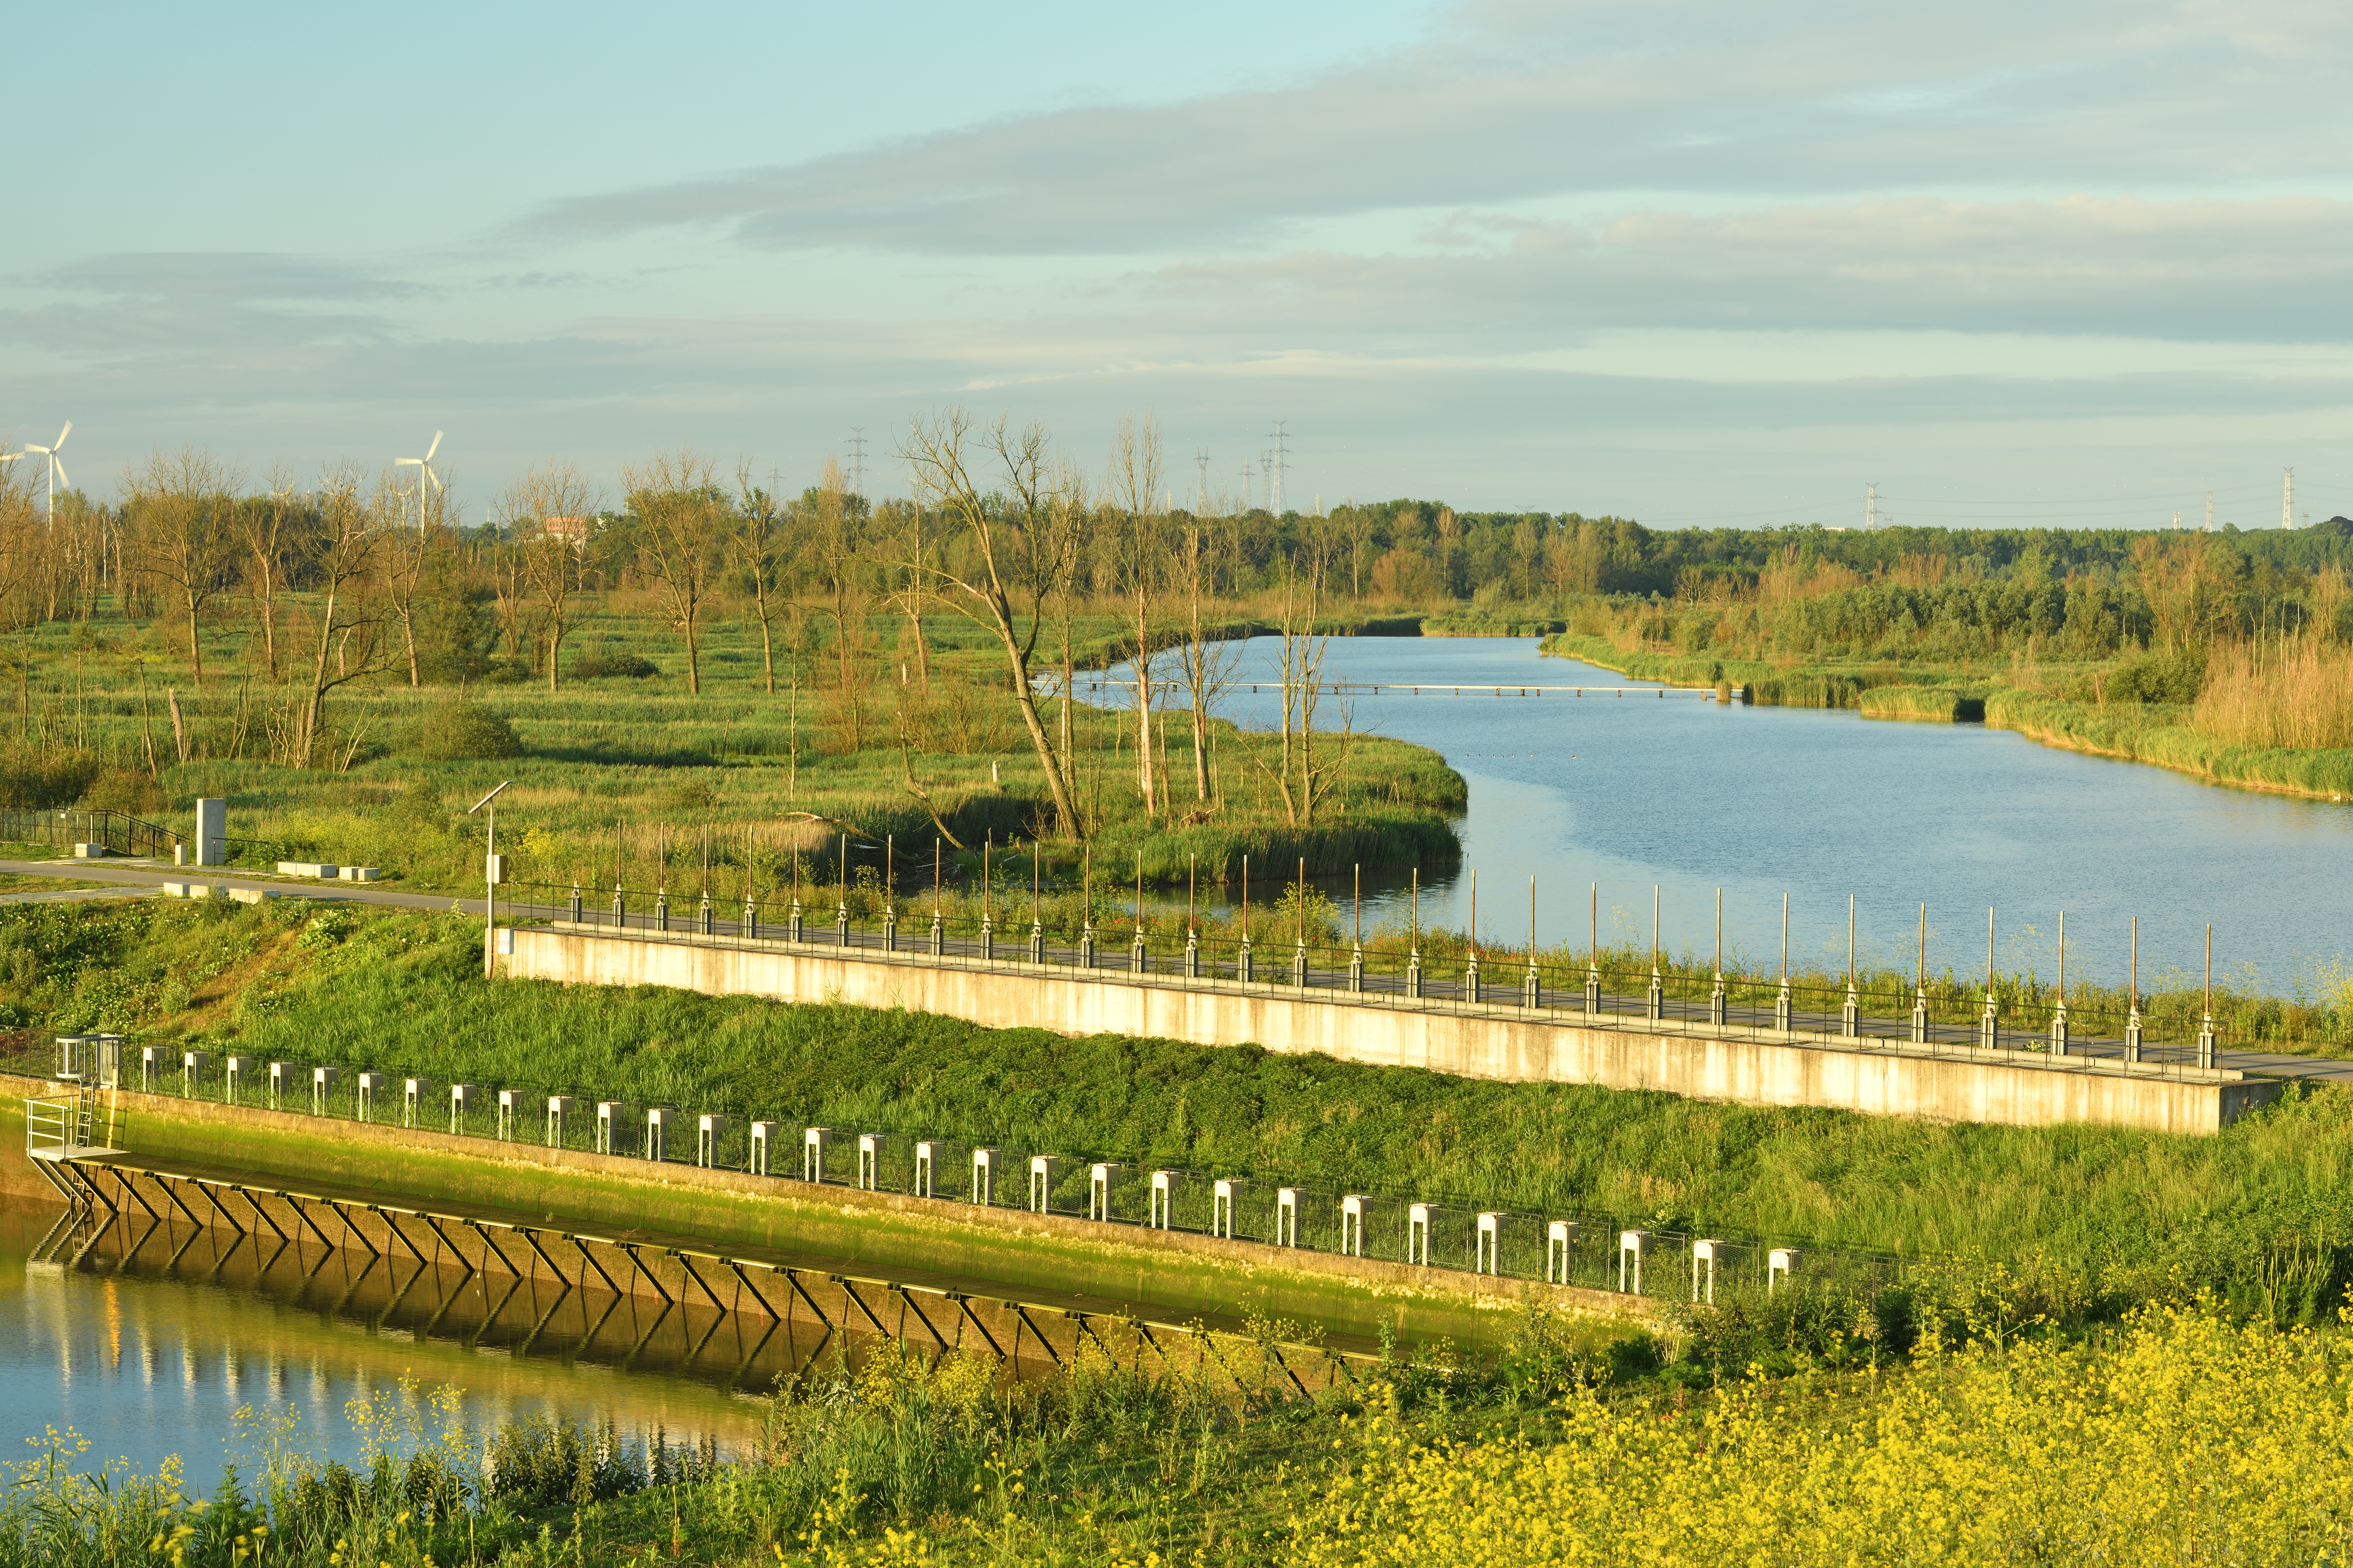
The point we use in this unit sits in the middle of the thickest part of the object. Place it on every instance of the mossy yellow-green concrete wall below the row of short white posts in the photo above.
(1171, 1275)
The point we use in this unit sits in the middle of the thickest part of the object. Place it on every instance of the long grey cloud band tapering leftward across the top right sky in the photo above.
(1580, 102)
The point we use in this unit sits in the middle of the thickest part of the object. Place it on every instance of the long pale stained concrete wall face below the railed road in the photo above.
(1488, 1043)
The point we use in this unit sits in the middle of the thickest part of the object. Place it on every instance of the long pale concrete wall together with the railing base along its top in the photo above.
(1519, 1031)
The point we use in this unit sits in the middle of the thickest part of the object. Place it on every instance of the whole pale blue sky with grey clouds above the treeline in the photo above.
(1695, 264)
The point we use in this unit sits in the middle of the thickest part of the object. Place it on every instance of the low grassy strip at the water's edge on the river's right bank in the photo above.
(2157, 735)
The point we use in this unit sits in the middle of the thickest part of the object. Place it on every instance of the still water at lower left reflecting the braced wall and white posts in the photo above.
(149, 1355)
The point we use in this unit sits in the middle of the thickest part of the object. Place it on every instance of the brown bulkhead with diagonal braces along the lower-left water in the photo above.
(742, 1322)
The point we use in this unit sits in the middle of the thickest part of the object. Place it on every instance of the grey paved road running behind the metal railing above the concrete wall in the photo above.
(142, 876)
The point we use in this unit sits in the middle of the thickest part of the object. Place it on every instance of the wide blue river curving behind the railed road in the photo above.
(1818, 805)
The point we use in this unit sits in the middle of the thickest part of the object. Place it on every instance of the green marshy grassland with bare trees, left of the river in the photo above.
(627, 751)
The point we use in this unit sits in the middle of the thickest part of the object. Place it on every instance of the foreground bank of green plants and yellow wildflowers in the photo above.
(2185, 1438)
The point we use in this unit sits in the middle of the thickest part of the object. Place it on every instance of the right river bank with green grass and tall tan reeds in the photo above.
(2227, 725)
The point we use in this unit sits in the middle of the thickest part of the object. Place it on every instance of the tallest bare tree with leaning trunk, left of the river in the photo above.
(1018, 556)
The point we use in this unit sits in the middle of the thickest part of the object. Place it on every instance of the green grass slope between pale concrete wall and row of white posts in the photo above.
(2095, 1217)
